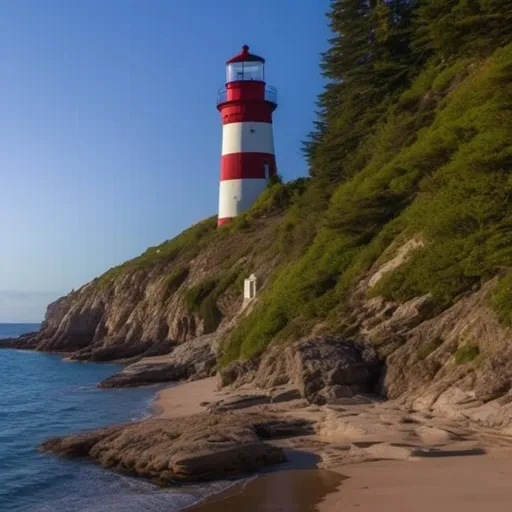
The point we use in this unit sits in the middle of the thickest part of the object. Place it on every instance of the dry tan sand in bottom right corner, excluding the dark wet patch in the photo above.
(451, 484)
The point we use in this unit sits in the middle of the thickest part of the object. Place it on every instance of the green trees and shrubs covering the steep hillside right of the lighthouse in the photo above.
(413, 139)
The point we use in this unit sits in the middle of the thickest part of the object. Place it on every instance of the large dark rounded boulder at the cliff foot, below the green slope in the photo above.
(322, 368)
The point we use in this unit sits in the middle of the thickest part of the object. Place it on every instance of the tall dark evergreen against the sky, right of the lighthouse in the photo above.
(368, 62)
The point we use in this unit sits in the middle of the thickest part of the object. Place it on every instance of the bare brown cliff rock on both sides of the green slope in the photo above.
(458, 360)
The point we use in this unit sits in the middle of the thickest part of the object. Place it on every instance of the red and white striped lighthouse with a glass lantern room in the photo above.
(245, 104)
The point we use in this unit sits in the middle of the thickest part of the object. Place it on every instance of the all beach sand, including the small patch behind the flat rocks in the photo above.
(477, 477)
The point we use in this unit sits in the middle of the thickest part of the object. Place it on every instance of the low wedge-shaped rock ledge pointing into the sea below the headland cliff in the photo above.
(193, 359)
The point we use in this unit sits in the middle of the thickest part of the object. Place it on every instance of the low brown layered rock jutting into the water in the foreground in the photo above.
(191, 449)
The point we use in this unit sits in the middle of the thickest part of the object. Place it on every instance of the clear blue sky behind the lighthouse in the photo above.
(109, 135)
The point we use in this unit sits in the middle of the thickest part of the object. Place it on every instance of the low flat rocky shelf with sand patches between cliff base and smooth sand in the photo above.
(205, 433)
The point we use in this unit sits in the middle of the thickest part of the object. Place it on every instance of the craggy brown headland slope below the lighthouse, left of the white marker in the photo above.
(135, 313)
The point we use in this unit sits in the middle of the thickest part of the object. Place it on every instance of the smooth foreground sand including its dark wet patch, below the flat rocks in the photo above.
(452, 484)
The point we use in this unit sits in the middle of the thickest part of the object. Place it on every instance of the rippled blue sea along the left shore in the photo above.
(41, 395)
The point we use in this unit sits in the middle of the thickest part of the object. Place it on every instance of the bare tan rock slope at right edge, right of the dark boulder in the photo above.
(423, 369)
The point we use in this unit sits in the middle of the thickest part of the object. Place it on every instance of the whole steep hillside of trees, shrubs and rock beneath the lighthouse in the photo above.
(399, 239)
